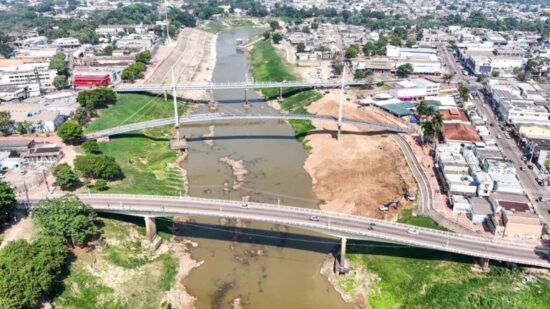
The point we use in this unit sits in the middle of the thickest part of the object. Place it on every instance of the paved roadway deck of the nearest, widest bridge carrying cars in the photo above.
(353, 227)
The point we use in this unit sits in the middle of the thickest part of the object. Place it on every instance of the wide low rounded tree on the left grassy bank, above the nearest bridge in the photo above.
(98, 167)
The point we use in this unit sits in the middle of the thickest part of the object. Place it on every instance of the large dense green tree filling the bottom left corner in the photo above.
(28, 271)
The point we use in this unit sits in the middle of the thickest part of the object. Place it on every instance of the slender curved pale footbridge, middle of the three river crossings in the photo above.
(208, 117)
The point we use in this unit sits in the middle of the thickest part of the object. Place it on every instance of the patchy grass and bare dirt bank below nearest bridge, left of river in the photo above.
(133, 265)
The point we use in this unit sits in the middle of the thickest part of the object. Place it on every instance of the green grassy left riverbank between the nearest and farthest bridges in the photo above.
(144, 157)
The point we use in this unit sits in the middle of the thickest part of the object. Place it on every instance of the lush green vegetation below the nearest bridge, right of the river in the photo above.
(419, 278)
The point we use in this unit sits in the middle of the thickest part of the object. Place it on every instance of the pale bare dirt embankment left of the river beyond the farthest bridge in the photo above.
(193, 58)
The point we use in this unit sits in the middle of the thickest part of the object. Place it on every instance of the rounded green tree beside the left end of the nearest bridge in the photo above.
(68, 218)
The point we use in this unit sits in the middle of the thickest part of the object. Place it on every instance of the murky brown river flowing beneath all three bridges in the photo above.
(268, 266)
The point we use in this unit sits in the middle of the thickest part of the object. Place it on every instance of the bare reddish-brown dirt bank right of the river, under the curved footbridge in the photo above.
(362, 169)
